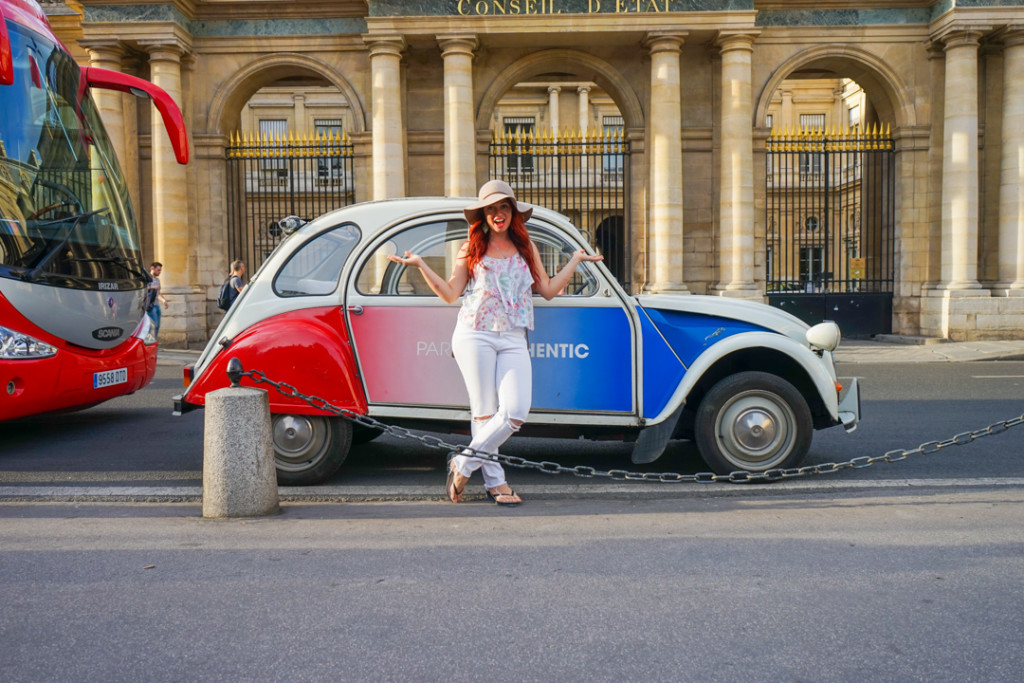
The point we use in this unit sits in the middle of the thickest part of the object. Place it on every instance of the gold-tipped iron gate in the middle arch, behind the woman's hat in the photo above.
(582, 176)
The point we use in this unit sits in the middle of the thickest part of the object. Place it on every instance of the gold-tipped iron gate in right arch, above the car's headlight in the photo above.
(831, 219)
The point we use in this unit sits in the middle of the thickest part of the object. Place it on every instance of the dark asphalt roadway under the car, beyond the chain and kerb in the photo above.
(136, 442)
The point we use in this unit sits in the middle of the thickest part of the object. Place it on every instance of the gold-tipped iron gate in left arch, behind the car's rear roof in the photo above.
(273, 178)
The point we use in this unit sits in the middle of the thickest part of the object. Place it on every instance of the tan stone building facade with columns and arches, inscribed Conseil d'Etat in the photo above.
(423, 82)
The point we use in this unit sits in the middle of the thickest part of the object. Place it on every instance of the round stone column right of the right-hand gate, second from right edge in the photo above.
(960, 163)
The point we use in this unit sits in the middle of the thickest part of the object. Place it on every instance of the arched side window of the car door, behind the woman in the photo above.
(439, 244)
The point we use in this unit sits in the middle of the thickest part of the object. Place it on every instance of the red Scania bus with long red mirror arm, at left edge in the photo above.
(73, 282)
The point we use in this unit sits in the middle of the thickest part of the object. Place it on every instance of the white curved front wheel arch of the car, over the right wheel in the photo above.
(816, 372)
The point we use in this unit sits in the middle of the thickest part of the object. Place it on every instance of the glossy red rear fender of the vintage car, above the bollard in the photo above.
(309, 350)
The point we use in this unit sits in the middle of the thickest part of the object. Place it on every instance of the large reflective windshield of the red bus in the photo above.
(66, 219)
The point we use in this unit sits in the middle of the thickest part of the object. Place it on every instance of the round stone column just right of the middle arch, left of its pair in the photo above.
(666, 142)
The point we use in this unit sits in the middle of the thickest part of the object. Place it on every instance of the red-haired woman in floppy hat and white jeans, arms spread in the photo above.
(503, 268)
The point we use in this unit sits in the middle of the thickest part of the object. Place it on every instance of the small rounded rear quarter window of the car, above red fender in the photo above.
(315, 268)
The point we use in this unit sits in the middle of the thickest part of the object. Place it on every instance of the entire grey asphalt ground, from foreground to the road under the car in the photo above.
(898, 573)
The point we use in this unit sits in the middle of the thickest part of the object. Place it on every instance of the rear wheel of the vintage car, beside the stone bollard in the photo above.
(309, 449)
